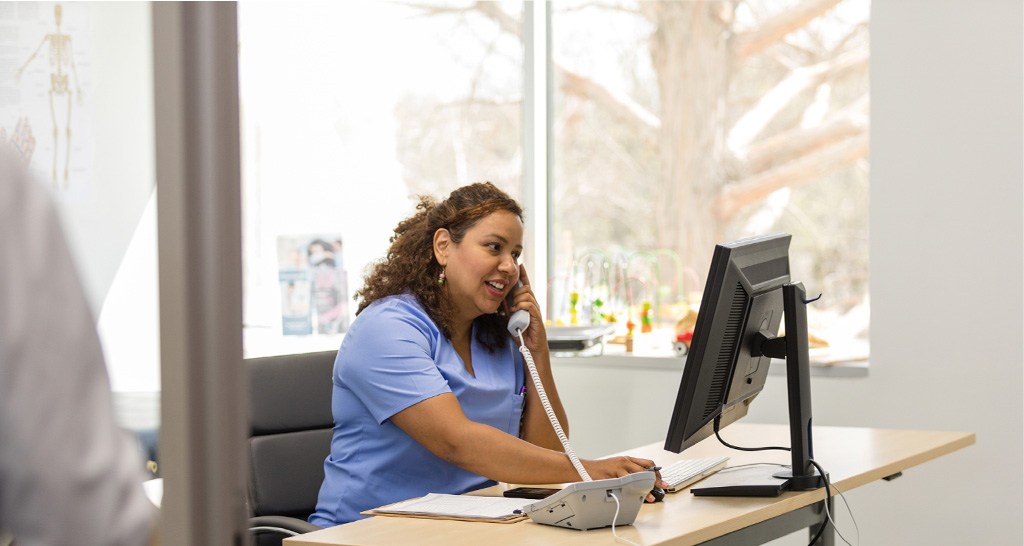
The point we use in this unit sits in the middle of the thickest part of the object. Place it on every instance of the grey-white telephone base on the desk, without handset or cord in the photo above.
(589, 505)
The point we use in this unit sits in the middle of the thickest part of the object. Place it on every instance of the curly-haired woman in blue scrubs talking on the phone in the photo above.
(431, 394)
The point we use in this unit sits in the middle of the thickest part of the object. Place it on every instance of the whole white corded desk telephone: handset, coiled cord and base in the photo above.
(570, 508)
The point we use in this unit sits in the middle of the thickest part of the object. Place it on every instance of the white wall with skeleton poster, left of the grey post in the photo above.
(76, 102)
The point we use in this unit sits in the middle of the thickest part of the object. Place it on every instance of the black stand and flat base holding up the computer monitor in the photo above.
(769, 481)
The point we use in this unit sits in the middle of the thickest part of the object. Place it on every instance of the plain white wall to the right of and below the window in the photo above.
(948, 240)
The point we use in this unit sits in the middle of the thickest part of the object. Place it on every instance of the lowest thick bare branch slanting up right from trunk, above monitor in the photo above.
(737, 196)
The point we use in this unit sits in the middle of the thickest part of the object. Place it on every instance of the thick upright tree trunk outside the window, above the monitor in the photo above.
(691, 55)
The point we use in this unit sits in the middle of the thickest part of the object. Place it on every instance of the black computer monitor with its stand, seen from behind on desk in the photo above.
(748, 295)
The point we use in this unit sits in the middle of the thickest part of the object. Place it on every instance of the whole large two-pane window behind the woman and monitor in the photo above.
(676, 125)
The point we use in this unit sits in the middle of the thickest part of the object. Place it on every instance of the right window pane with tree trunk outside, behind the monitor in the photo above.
(679, 125)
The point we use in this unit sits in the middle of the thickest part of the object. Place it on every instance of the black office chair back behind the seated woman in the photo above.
(290, 438)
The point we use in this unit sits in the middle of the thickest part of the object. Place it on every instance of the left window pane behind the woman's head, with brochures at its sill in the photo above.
(350, 110)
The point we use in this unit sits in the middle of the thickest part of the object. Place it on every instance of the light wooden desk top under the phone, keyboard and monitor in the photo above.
(854, 457)
